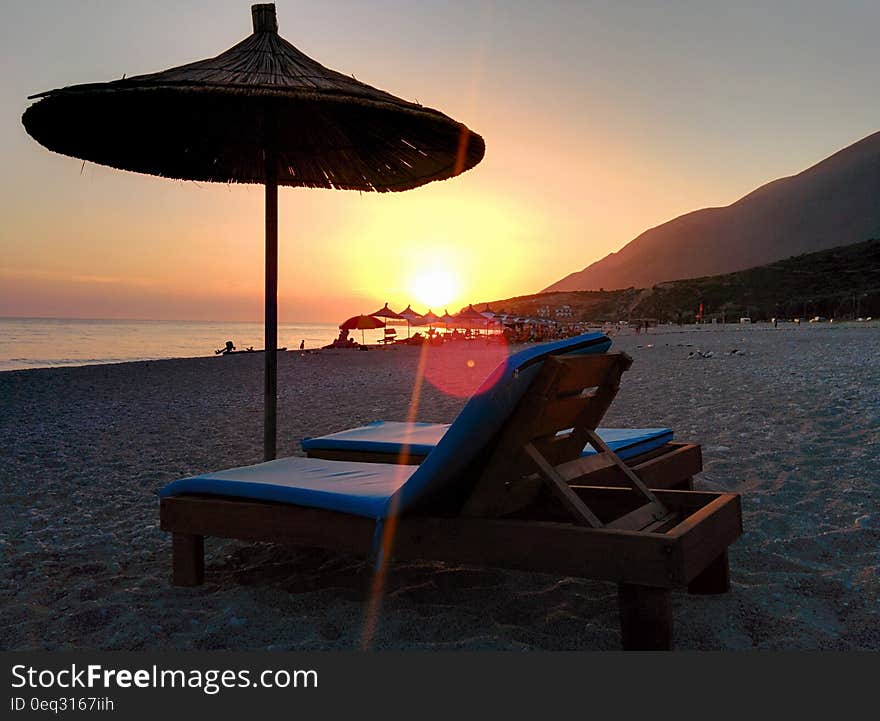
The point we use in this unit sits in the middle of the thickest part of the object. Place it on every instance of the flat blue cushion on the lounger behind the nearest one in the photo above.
(420, 439)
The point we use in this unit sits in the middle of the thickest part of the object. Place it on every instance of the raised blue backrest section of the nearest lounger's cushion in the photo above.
(442, 479)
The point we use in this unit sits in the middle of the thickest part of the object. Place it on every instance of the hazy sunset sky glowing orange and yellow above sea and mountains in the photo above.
(601, 119)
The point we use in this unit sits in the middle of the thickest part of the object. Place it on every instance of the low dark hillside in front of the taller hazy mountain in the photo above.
(840, 283)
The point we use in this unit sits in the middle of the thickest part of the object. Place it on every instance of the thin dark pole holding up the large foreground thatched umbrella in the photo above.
(270, 379)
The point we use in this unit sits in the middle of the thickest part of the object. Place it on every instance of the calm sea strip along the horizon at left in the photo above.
(54, 342)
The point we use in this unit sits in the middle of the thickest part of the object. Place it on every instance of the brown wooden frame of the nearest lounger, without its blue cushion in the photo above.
(527, 508)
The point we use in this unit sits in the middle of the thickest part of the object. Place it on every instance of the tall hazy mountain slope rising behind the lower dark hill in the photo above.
(833, 203)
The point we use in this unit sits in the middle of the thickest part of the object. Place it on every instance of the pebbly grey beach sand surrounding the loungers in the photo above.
(792, 422)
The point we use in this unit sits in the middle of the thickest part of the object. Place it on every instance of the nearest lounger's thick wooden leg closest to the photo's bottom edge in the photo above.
(645, 617)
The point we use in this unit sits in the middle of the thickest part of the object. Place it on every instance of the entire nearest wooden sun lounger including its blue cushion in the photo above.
(503, 487)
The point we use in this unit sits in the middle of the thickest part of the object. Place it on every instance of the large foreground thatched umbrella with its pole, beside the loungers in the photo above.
(261, 112)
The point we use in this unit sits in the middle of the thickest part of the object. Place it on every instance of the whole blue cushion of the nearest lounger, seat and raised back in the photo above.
(378, 490)
